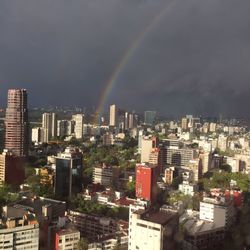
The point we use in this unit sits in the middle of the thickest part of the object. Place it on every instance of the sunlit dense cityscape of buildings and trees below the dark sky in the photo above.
(121, 180)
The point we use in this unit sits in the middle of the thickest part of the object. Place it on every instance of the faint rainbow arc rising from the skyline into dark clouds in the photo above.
(126, 57)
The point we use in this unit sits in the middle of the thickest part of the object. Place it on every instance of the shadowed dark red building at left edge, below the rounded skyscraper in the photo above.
(11, 169)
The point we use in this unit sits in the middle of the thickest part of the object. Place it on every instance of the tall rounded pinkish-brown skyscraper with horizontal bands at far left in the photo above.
(16, 123)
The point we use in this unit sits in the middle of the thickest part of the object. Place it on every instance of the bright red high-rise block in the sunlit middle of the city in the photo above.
(146, 182)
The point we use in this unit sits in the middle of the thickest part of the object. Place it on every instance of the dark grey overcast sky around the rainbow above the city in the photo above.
(194, 59)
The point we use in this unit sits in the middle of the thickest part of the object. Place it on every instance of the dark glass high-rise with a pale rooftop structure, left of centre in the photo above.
(68, 174)
